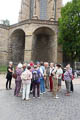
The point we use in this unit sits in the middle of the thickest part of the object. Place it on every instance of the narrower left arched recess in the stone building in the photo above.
(17, 46)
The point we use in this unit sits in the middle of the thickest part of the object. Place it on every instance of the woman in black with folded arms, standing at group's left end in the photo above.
(9, 75)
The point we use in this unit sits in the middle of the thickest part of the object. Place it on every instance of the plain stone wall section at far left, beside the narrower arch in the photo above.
(3, 45)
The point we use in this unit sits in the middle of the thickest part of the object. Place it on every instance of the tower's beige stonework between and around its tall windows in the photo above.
(25, 9)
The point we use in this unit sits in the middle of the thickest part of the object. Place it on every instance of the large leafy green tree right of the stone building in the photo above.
(69, 30)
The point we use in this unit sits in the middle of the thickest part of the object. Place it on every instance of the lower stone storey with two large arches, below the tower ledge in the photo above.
(12, 41)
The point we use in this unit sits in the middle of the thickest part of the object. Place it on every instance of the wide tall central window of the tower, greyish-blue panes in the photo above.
(43, 9)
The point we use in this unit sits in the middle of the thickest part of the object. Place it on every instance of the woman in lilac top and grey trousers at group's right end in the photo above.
(68, 78)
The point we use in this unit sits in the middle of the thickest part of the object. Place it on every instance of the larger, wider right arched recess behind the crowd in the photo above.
(43, 45)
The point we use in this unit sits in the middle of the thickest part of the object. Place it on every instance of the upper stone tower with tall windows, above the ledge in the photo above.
(40, 9)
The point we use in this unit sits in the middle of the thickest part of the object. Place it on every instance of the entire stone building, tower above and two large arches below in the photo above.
(34, 37)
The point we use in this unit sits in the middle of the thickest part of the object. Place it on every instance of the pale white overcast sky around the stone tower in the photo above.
(9, 9)
